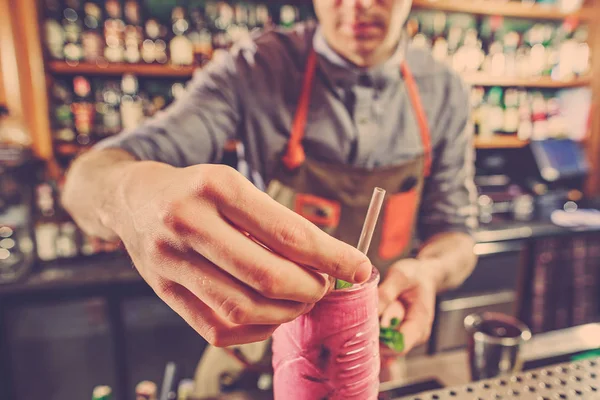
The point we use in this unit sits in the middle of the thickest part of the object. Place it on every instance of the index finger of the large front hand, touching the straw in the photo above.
(294, 237)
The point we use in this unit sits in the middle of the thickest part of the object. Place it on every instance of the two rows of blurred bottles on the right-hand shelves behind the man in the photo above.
(518, 70)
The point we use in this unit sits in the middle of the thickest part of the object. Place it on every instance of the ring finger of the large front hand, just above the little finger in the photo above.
(226, 296)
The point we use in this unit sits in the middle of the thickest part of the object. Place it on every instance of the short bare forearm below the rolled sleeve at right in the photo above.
(449, 259)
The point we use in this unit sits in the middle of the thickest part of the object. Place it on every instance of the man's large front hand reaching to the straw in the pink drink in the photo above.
(226, 257)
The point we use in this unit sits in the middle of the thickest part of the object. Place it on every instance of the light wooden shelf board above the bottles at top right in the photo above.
(506, 9)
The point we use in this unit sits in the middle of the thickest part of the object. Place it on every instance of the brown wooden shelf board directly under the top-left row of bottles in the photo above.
(156, 70)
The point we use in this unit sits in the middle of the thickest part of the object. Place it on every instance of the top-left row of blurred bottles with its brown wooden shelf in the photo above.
(132, 35)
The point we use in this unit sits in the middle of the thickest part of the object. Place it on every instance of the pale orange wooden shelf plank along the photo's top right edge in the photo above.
(546, 9)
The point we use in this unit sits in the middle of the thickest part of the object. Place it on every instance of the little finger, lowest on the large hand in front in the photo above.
(206, 322)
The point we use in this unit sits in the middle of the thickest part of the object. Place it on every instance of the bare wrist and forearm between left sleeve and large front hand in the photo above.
(91, 191)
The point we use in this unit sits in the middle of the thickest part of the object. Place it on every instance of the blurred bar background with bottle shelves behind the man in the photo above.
(74, 312)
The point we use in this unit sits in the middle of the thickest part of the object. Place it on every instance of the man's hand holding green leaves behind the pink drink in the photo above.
(408, 293)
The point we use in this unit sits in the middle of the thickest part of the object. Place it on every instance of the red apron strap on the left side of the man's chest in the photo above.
(295, 156)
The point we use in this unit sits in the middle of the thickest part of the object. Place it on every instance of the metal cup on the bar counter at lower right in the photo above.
(494, 344)
